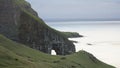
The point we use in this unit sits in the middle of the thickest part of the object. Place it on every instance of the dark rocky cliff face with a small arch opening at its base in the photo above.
(19, 22)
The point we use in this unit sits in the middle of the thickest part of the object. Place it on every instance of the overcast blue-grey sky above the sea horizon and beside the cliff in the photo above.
(71, 9)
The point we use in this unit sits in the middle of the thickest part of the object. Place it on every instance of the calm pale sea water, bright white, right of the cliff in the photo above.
(104, 37)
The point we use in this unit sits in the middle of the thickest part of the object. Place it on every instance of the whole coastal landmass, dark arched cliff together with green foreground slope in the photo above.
(24, 37)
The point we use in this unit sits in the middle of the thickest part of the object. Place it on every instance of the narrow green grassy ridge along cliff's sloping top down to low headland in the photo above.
(22, 3)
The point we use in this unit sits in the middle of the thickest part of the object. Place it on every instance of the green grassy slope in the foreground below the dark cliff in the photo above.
(15, 55)
